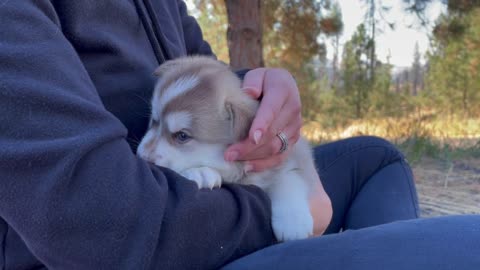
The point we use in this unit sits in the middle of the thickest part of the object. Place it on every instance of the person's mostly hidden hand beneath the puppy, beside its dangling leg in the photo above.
(320, 208)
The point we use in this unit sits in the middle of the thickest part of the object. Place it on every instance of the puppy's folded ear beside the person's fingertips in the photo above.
(241, 117)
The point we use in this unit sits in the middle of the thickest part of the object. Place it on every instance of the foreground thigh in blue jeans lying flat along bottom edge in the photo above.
(437, 243)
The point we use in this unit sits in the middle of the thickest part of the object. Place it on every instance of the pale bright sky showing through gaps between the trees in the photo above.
(400, 42)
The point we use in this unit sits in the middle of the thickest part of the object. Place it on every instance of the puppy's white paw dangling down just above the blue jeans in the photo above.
(292, 224)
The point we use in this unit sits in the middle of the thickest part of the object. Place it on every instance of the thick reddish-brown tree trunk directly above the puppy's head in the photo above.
(244, 33)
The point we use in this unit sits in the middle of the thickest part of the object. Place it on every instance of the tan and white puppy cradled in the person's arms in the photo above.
(198, 110)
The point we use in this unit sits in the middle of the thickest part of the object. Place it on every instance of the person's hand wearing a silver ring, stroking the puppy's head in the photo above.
(279, 111)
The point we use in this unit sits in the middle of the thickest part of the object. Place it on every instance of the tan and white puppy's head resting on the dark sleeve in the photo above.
(198, 109)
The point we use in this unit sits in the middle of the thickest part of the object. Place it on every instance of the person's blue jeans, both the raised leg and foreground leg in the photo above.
(375, 222)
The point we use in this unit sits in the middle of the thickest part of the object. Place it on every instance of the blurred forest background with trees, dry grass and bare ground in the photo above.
(430, 109)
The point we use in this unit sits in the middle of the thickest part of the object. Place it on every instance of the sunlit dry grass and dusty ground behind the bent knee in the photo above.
(444, 153)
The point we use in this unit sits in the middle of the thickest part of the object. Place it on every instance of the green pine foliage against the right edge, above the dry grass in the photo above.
(454, 61)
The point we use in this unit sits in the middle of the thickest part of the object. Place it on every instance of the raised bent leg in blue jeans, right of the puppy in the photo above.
(368, 181)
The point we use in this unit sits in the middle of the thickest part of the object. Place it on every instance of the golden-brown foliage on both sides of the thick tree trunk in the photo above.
(290, 37)
